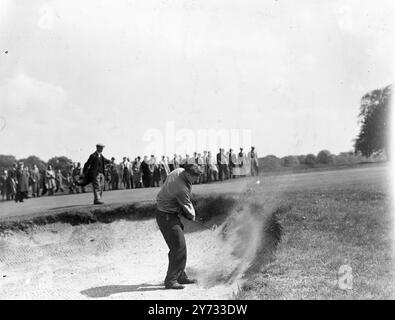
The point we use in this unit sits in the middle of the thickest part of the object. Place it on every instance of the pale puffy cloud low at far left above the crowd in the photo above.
(39, 118)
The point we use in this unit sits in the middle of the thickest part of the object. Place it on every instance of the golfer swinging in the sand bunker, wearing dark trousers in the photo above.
(173, 200)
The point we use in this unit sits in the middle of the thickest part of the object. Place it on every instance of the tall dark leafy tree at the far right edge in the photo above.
(374, 119)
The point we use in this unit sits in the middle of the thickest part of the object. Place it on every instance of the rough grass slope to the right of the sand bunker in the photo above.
(324, 228)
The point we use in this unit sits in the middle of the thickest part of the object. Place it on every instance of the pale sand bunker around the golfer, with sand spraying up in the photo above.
(128, 259)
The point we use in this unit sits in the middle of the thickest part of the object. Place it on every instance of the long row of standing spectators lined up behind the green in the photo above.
(21, 182)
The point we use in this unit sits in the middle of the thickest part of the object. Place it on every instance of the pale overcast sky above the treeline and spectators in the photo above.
(74, 73)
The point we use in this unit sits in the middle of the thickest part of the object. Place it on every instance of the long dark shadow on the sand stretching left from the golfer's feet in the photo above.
(106, 291)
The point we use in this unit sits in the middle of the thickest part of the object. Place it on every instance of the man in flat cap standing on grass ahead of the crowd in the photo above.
(93, 172)
